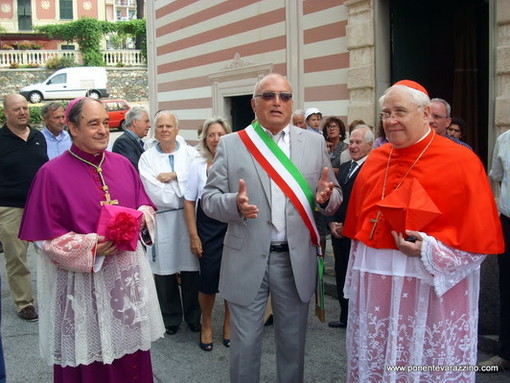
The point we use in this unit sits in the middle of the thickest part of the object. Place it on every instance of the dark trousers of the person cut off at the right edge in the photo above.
(504, 293)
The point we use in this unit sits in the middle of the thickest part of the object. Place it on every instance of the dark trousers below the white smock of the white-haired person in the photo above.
(173, 308)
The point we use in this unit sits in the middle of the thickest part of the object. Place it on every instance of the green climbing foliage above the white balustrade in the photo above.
(89, 32)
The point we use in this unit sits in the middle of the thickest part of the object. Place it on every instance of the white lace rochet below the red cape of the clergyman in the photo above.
(418, 314)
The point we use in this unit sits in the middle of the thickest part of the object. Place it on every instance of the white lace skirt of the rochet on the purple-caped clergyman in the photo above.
(88, 317)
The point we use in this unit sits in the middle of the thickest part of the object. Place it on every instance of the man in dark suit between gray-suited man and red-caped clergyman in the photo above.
(360, 145)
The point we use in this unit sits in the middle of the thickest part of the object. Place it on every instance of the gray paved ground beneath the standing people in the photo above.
(178, 359)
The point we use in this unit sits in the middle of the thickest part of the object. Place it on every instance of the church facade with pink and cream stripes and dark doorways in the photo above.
(205, 56)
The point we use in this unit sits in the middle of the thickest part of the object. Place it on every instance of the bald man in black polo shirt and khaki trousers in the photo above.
(22, 153)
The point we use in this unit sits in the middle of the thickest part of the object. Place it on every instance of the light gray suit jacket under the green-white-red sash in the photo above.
(247, 241)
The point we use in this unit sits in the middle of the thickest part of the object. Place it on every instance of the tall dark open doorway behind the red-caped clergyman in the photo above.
(445, 46)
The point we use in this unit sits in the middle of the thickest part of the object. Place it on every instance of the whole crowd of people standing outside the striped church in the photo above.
(145, 236)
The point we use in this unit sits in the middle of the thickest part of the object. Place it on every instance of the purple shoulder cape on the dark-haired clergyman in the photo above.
(66, 192)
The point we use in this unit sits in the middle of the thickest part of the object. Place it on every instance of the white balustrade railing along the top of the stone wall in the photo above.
(38, 58)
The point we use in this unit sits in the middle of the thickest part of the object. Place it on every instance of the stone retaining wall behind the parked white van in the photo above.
(127, 83)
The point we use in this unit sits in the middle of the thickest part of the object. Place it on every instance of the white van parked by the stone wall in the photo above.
(69, 83)
